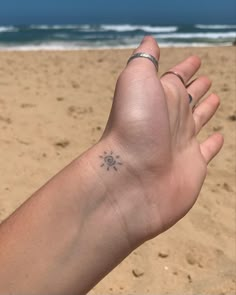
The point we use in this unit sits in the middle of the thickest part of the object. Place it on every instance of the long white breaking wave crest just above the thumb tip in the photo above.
(127, 28)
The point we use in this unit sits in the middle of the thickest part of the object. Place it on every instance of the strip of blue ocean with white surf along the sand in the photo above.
(73, 37)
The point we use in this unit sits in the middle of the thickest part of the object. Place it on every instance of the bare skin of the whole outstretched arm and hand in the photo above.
(87, 218)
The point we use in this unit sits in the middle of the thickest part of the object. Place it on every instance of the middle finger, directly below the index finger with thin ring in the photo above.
(198, 88)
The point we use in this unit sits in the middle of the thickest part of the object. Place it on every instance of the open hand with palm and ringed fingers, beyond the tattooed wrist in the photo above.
(155, 128)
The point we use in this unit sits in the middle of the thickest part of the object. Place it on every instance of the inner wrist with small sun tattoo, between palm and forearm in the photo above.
(117, 191)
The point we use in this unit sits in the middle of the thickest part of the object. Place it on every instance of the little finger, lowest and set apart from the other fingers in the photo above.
(211, 146)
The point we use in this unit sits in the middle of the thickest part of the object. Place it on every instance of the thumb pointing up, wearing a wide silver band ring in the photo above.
(138, 87)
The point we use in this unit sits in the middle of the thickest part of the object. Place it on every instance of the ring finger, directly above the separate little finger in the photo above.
(204, 111)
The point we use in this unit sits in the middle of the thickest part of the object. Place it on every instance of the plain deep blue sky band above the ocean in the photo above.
(156, 12)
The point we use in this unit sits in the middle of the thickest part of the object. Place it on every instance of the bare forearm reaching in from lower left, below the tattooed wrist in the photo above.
(68, 235)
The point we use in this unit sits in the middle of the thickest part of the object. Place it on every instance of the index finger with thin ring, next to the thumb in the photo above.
(185, 69)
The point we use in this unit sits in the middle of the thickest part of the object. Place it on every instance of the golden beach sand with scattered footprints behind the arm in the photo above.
(54, 105)
